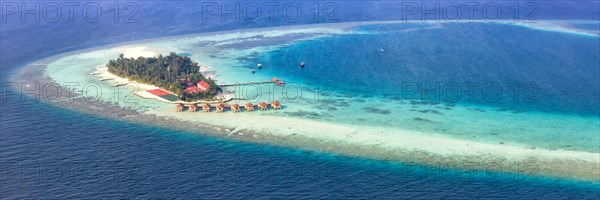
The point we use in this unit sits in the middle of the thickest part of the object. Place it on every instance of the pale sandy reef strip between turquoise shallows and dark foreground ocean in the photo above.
(404, 147)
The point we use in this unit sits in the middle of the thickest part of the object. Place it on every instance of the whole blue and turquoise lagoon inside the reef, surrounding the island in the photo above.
(493, 83)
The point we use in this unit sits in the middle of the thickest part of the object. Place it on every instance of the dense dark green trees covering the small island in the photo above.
(172, 72)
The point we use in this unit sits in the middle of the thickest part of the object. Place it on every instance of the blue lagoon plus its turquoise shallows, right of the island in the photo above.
(494, 83)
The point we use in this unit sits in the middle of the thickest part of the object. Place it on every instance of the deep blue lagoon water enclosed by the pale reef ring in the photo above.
(508, 67)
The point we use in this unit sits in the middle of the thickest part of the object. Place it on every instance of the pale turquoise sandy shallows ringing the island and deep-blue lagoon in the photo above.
(331, 122)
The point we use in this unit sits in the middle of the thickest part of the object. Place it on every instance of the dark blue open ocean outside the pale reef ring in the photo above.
(52, 153)
